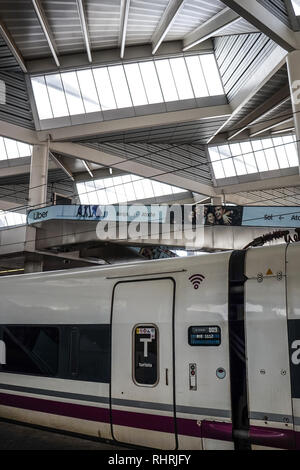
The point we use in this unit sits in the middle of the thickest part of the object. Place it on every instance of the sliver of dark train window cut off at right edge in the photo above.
(294, 346)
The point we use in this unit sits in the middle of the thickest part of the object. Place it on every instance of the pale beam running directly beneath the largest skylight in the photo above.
(140, 122)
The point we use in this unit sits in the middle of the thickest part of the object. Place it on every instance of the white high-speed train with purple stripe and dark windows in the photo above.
(188, 353)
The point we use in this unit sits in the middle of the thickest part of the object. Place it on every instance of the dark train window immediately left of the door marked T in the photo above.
(90, 356)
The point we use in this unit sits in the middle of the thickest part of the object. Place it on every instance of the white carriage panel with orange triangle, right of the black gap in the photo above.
(269, 387)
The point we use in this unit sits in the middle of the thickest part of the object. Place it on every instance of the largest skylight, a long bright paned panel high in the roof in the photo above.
(124, 86)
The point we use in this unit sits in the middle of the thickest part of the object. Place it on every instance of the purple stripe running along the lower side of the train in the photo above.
(272, 437)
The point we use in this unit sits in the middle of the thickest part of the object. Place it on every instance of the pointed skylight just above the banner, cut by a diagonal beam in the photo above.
(120, 189)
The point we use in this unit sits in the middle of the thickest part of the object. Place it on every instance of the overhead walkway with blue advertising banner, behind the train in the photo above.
(76, 235)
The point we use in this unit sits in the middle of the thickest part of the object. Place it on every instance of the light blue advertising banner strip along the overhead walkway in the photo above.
(245, 216)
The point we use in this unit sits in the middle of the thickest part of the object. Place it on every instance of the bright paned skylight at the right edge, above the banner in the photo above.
(256, 156)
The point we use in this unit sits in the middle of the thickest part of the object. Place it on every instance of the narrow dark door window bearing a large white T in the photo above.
(145, 355)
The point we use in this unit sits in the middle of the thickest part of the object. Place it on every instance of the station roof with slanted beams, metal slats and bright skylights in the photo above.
(190, 93)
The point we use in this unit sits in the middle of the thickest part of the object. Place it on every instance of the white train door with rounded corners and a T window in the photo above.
(142, 395)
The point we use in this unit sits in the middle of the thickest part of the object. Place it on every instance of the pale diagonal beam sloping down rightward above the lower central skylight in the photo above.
(107, 160)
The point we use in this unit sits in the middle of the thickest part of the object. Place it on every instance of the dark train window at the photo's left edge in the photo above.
(31, 350)
